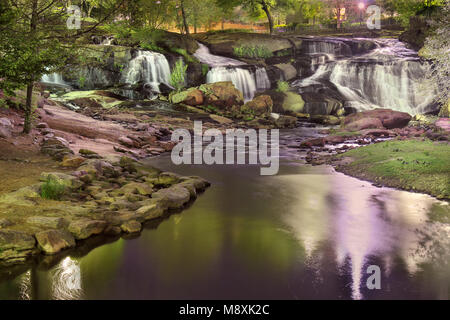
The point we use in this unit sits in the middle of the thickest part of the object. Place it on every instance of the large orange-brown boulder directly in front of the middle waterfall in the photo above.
(223, 95)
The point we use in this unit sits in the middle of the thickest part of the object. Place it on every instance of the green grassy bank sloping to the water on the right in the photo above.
(414, 165)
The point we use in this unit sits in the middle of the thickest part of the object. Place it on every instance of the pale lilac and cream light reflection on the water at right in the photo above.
(363, 222)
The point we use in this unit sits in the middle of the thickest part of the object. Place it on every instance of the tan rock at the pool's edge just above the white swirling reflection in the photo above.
(54, 241)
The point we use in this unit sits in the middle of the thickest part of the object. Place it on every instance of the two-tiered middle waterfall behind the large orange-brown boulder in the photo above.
(227, 69)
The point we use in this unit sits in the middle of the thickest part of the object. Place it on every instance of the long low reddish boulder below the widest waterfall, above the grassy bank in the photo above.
(388, 119)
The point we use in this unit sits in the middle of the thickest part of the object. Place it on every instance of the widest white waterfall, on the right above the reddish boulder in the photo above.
(389, 76)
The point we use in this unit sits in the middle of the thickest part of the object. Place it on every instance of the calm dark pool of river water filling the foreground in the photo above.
(306, 233)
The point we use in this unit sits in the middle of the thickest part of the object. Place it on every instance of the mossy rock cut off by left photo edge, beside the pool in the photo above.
(15, 246)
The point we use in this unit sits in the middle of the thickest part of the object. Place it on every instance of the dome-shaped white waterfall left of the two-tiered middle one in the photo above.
(150, 67)
